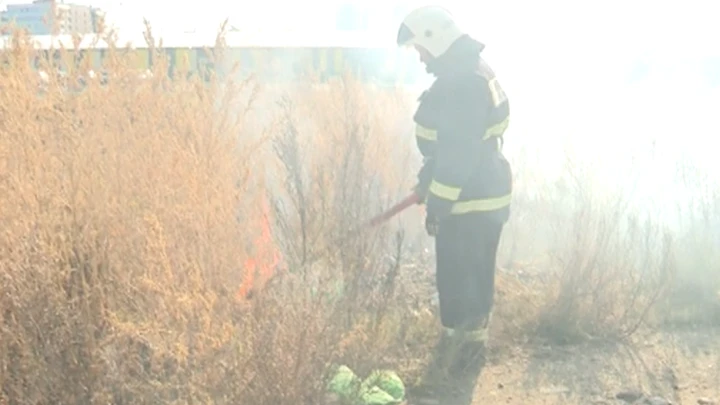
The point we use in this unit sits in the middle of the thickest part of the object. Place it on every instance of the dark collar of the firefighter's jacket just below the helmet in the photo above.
(463, 56)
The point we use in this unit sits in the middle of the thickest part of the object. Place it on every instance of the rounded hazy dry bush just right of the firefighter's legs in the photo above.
(606, 267)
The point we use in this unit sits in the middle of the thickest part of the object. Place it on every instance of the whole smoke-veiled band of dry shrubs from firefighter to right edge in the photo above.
(588, 258)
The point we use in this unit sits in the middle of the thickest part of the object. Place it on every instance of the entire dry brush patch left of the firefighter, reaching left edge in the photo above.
(131, 211)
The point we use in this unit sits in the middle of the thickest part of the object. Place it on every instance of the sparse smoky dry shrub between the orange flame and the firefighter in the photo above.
(333, 171)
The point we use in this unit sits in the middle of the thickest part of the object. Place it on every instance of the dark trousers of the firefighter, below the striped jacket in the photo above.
(466, 253)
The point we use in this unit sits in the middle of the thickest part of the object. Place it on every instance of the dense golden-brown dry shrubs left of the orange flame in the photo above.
(122, 246)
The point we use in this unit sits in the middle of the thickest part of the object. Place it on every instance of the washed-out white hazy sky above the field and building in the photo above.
(612, 75)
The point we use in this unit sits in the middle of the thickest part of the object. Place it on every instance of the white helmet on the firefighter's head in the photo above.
(431, 27)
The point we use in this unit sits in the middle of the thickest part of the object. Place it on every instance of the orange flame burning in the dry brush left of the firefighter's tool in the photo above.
(266, 257)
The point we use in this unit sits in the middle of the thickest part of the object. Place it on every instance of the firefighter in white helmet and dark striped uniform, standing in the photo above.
(465, 181)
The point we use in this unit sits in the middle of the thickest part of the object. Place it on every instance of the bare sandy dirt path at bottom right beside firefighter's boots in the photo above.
(679, 366)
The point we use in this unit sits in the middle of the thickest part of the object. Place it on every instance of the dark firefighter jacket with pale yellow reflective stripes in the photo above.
(460, 122)
